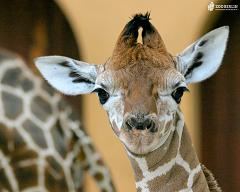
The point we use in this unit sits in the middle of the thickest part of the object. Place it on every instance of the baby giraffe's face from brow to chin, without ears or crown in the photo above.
(141, 103)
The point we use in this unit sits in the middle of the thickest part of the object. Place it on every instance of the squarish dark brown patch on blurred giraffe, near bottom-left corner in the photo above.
(26, 176)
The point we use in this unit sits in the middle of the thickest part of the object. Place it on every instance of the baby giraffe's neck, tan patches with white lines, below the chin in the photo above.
(174, 166)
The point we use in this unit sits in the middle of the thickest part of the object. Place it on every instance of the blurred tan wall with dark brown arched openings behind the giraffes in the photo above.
(87, 30)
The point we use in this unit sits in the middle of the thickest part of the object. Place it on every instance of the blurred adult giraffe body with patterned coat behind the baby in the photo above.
(43, 147)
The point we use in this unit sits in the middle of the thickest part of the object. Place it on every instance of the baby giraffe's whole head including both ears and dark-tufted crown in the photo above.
(141, 85)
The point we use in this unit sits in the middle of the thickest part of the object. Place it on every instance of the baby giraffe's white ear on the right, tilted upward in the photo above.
(202, 59)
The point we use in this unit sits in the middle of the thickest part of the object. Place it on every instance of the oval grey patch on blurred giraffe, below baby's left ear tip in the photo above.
(41, 108)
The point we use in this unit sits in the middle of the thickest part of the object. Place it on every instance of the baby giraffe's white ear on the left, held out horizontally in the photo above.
(67, 75)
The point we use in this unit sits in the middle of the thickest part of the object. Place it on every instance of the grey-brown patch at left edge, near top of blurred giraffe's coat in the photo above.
(12, 77)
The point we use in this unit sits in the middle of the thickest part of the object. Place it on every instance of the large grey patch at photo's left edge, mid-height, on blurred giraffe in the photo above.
(12, 104)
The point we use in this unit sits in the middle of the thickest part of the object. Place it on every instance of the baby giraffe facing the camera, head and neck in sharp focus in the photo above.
(140, 87)
